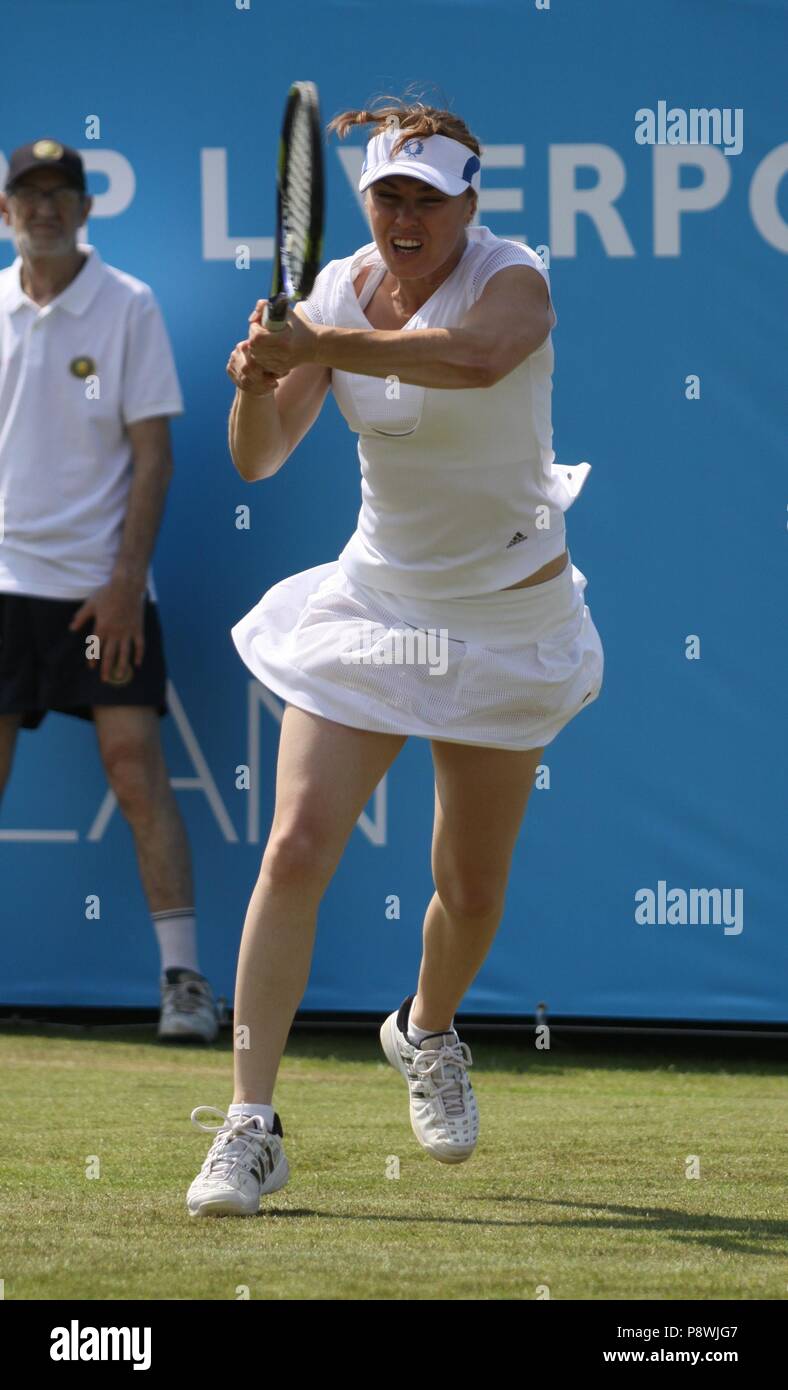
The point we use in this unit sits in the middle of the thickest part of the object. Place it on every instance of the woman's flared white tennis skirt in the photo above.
(500, 671)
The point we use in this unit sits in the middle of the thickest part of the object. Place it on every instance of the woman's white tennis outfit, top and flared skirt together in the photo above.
(413, 629)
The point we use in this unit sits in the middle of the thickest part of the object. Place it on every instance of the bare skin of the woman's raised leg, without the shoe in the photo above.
(482, 796)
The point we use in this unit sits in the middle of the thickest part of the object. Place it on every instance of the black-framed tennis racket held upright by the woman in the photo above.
(299, 205)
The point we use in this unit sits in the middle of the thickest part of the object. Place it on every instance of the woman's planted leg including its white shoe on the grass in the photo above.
(326, 775)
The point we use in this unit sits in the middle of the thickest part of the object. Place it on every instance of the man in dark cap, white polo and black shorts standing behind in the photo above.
(87, 387)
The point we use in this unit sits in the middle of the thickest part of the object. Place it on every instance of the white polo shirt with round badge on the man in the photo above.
(73, 376)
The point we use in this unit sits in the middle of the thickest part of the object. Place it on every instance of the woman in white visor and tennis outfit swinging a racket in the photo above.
(437, 341)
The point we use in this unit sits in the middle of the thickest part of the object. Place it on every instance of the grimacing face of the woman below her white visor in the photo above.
(409, 209)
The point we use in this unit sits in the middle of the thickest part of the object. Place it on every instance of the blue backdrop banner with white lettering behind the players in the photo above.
(668, 265)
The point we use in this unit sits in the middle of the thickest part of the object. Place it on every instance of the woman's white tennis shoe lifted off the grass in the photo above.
(444, 1113)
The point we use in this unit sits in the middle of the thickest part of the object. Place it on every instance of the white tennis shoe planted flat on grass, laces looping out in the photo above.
(245, 1163)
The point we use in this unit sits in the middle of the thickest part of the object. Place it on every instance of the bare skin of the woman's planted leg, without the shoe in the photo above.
(326, 775)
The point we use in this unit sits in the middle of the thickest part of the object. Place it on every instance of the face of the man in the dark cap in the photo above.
(47, 226)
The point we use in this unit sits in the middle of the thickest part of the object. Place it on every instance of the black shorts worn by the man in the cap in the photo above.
(44, 664)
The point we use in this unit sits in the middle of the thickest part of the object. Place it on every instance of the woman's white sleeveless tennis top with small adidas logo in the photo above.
(461, 494)
